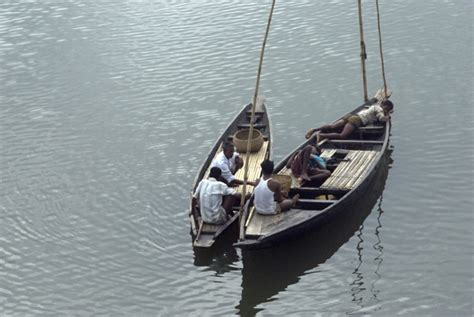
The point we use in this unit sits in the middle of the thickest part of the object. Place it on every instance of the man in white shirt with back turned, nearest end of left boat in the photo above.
(215, 198)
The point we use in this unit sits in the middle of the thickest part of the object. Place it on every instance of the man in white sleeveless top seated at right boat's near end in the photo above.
(268, 197)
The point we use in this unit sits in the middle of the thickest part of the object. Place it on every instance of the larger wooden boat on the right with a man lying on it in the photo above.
(356, 162)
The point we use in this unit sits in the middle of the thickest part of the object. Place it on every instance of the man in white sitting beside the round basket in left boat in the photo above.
(229, 162)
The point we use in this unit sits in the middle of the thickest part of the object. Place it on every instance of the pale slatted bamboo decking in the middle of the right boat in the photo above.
(348, 174)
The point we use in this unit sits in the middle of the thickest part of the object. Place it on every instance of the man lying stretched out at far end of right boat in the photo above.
(373, 114)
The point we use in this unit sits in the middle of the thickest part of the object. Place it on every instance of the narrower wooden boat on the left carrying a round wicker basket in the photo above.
(205, 235)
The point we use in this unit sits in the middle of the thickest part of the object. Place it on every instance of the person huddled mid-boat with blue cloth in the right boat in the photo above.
(307, 165)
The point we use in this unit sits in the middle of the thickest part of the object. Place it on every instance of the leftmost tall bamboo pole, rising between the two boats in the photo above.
(254, 103)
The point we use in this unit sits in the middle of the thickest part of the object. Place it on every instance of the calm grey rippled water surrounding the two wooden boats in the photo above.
(108, 109)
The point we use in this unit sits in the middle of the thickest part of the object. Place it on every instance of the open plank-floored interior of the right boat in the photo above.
(349, 162)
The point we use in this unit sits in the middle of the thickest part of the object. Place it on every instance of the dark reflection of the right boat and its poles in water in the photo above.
(266, 272)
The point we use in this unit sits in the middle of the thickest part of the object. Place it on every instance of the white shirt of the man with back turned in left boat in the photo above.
(209, 193)
